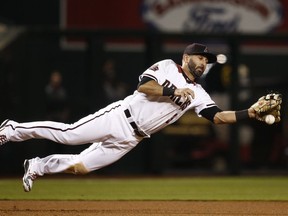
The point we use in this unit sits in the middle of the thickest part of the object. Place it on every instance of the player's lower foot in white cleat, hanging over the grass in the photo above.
(29, 174)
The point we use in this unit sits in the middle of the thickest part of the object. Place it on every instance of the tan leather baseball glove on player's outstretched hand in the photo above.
(268, 104)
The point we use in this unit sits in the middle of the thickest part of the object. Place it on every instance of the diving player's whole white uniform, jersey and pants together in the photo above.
(113, 130)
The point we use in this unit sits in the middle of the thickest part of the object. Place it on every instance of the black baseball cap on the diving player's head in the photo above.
(200, 49)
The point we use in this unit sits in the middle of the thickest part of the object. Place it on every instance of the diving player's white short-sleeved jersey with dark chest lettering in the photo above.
(152, 113)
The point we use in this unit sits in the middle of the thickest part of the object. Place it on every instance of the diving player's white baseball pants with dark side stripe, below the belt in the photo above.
(108, 129)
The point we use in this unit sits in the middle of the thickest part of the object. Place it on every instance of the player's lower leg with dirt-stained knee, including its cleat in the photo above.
(98, 155)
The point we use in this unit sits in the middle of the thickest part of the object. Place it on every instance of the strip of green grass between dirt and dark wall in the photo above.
(188, 188)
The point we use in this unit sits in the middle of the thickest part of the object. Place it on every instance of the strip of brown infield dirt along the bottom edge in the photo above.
(87, 208)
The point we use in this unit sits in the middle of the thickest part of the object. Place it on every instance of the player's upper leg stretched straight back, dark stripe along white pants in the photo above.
(92, 128)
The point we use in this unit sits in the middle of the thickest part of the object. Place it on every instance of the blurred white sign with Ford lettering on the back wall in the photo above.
(213, 16)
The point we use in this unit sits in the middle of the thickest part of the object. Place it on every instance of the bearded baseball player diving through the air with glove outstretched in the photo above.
(165, 92)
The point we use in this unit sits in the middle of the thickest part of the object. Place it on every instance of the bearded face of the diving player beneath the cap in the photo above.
(197, 65)
